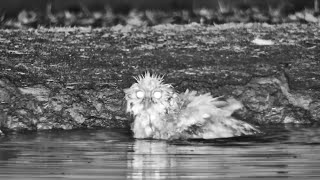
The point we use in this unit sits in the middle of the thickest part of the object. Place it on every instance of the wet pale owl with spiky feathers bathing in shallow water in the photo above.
(161, 113)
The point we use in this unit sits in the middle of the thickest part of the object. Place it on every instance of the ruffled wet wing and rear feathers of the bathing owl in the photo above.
(206, 117)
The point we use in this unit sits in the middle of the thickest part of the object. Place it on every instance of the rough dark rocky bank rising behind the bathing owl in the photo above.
(69, 78)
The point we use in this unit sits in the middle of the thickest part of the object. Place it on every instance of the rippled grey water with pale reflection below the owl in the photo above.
(281, 153)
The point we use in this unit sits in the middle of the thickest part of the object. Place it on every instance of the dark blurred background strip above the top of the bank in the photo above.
(111, 12)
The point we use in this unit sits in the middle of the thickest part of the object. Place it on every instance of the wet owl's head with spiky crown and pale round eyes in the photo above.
(148, 93)
